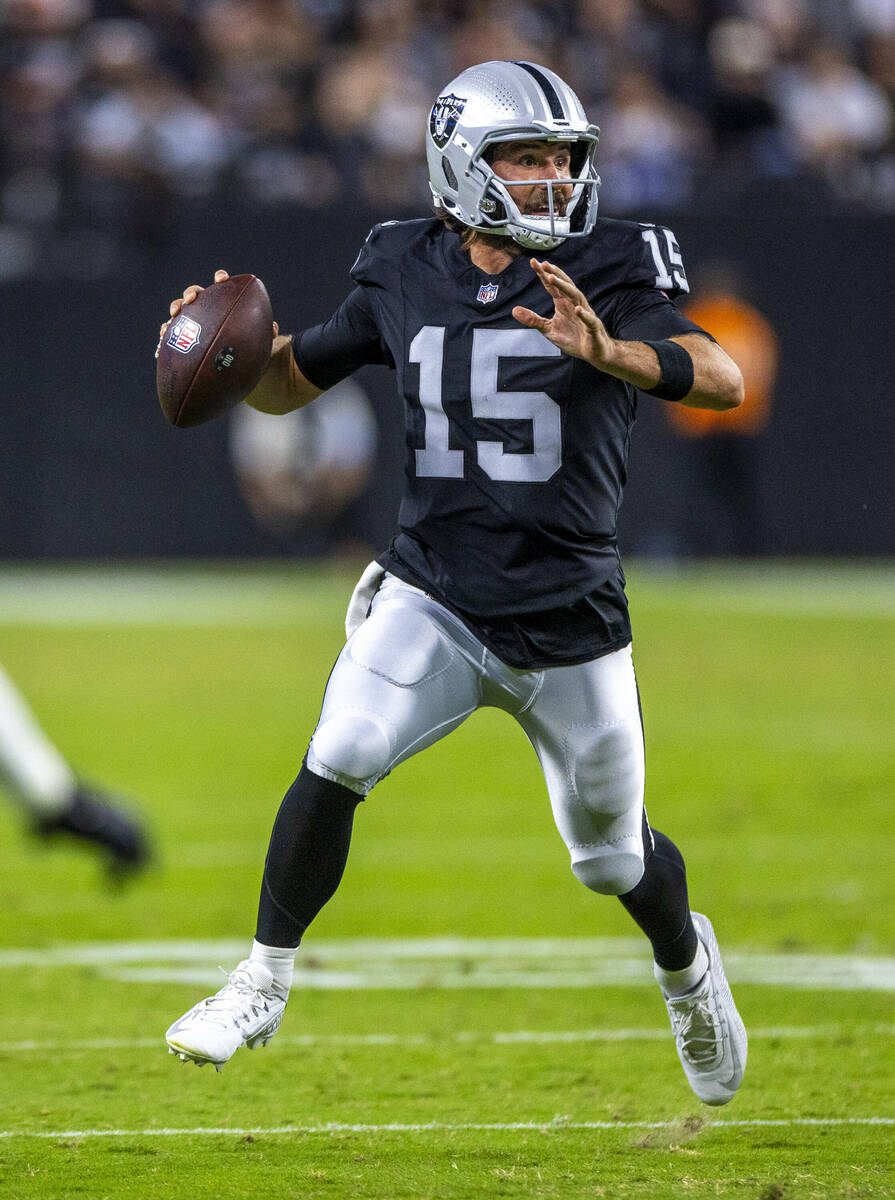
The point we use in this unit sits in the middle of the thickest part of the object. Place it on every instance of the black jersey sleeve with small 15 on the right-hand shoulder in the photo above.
(645, 308)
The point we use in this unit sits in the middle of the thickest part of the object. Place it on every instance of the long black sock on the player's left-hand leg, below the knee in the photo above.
(307, 857)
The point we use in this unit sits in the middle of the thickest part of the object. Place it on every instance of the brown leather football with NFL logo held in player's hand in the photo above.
(215, 351)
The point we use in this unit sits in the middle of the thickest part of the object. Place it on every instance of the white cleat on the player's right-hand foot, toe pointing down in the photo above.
(708, 1030)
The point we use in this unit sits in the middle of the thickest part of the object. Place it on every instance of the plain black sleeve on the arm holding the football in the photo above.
(350, 340)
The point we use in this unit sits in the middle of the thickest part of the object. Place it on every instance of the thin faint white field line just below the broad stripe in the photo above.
(514, 1037)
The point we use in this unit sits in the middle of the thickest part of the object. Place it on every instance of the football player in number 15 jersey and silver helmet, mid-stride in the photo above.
(519, 327)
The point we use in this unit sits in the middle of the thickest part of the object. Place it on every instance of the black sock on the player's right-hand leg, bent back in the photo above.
(660, 907)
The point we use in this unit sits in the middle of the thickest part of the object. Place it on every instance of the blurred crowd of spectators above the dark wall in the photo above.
(115, 112)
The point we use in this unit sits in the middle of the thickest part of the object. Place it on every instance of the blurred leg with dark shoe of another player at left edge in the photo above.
(43, 783)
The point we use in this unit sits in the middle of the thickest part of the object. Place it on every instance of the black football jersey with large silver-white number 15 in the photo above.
(516, 453)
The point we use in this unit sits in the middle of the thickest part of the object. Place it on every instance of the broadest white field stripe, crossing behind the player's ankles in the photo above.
(453, 963)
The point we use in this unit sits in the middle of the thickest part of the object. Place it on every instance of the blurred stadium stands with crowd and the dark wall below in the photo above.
(145, 143)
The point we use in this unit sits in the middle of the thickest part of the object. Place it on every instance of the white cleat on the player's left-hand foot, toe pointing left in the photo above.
(248, 1011)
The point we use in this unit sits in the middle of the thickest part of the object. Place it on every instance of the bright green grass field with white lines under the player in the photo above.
(468, 1021)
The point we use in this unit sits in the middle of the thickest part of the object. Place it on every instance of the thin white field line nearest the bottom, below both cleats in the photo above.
(556, 1125)
